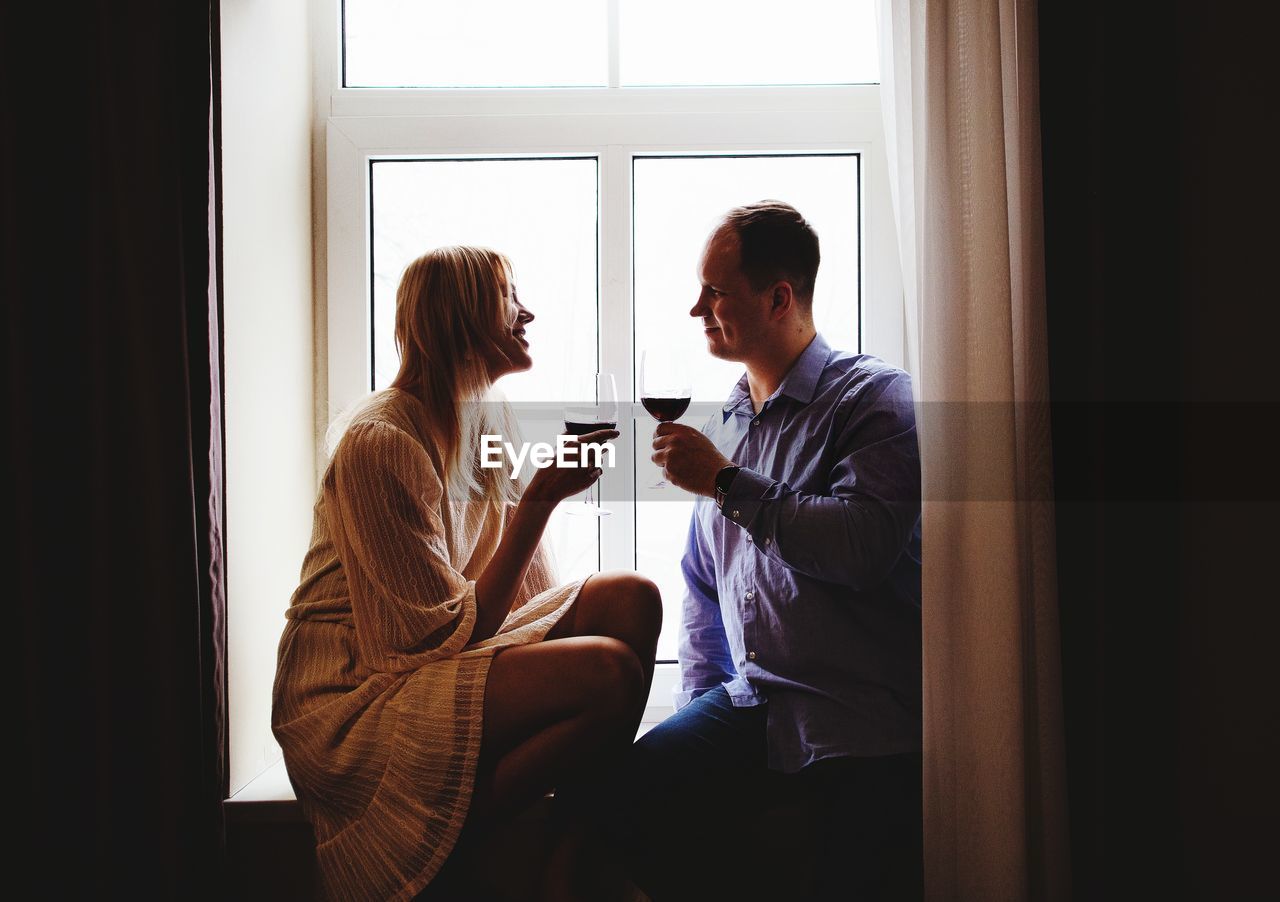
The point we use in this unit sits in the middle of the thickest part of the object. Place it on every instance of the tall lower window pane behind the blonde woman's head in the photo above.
(542, 214)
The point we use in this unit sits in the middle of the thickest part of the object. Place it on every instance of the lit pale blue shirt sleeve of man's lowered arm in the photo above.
(703, 652)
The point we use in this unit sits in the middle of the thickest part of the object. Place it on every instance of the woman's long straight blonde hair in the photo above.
(450, 308)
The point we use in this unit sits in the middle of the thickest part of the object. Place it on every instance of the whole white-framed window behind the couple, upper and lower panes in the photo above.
(601, 185)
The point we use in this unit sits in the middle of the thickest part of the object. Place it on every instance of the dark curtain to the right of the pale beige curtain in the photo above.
(1160, 194)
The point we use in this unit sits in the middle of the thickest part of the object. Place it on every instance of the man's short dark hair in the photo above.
(776, 244)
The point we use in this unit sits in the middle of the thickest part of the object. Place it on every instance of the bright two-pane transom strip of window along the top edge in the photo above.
(437, 44)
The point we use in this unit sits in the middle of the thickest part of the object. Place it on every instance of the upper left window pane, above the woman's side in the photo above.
(492, 44)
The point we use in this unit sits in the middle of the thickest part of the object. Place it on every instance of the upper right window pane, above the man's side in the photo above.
(749, 43)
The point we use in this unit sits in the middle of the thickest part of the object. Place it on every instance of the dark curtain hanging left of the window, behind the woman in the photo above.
(112, 466)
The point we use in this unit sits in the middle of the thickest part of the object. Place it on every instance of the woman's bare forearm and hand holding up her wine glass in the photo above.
(497, 587)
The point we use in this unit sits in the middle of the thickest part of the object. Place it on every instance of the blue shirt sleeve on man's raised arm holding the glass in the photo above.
(856, 533)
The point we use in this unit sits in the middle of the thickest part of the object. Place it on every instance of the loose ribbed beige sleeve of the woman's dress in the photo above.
(410, 606)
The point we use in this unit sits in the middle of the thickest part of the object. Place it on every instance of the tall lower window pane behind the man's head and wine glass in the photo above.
(678, 202)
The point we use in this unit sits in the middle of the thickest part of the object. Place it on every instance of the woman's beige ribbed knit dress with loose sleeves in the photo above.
(380, 694)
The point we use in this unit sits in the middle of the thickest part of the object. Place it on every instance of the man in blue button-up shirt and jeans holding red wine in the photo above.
(801, 640)
